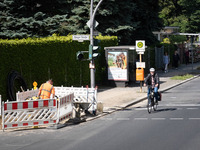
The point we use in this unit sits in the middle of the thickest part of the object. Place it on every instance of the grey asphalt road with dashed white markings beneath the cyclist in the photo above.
(175, 126)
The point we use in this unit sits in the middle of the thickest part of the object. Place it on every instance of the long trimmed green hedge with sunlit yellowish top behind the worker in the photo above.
(39, 59)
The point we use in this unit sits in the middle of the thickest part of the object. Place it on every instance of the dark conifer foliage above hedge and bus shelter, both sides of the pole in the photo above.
(128, 19)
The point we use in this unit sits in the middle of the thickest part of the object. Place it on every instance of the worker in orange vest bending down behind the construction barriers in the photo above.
(46, 89)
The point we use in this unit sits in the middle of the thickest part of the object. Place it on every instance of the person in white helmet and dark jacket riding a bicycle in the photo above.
(152, 81)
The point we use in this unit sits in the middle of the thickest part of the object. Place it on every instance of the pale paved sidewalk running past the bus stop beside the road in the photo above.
(120, 97)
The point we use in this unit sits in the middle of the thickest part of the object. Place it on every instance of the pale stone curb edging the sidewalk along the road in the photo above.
(142, 99)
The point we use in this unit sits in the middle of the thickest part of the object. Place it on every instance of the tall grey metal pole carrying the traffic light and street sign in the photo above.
(92, 16)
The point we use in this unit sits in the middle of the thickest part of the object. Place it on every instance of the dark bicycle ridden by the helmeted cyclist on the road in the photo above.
(151, 103)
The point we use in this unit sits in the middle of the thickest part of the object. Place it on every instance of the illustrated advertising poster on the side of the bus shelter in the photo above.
(117, 65)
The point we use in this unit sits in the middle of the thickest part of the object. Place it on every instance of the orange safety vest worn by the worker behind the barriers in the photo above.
(46, 90)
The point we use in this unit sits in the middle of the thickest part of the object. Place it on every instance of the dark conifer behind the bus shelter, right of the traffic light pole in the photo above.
(130, 20)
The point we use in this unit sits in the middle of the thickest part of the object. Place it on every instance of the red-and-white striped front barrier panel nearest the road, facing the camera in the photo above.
(29, 113)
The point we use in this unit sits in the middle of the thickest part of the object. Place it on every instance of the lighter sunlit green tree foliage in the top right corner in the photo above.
(182, 13)
